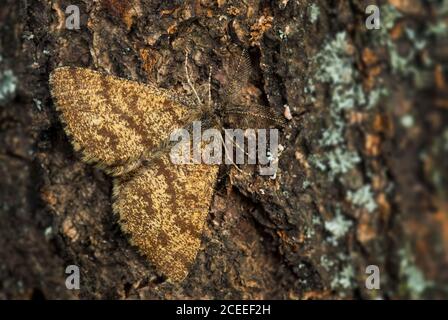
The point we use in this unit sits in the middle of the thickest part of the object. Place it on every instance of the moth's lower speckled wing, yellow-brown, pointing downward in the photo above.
(165, 219)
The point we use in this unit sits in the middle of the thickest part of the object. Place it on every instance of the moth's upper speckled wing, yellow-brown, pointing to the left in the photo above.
(113, 121)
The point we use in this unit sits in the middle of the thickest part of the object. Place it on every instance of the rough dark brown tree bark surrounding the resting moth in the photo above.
(362, 177)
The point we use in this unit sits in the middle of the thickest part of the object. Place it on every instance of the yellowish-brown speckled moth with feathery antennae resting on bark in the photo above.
(122, 127)
